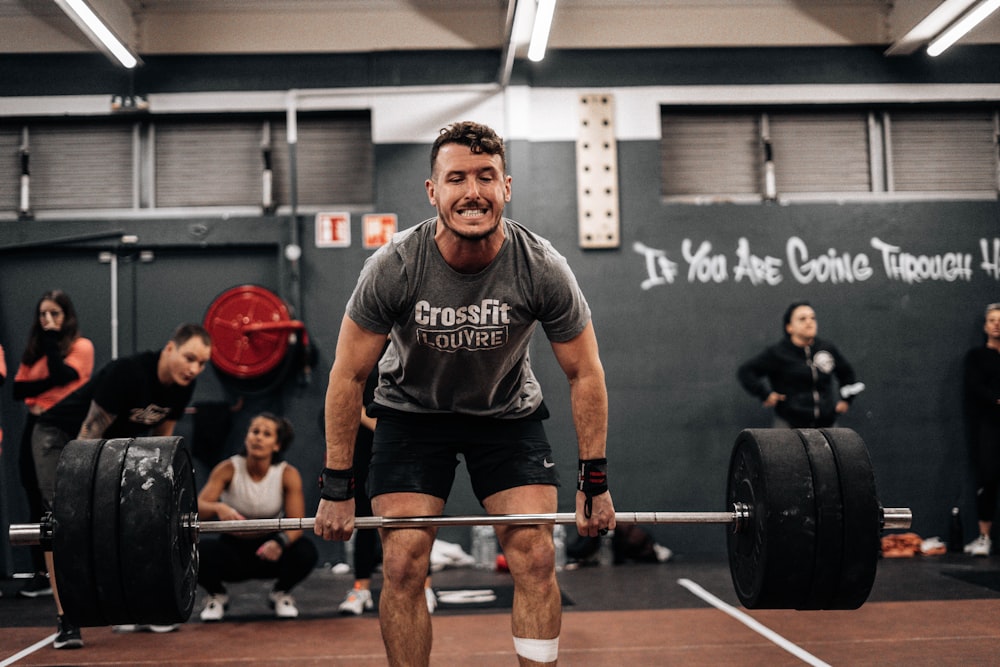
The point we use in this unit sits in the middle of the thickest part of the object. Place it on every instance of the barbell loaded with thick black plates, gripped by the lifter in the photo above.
(805, 525)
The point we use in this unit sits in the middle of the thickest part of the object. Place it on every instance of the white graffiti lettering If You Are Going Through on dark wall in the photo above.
(832, 266)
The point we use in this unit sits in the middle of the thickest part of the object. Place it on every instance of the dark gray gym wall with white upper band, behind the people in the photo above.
(676, 304)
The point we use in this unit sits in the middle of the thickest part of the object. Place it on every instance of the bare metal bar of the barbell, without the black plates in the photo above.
(894, 518)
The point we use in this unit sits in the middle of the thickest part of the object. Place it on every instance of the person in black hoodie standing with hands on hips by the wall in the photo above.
(806, 379)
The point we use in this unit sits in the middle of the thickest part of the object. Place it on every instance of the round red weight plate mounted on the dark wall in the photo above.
(249, 338)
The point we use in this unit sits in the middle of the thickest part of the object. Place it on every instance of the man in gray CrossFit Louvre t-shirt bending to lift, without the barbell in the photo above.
(461, 294)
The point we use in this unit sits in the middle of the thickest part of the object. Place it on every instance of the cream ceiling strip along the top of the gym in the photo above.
(162, 27)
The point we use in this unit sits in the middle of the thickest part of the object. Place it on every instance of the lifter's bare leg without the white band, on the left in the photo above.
(406, 552)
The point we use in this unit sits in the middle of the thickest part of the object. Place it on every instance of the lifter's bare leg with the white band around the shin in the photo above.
(537, 610)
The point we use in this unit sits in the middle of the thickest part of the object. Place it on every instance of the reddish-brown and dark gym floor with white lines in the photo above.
(925, 610)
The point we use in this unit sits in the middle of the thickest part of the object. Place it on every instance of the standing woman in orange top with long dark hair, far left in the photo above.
(56, 361)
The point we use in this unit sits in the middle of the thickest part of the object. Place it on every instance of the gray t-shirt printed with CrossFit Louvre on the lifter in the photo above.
(460, 341)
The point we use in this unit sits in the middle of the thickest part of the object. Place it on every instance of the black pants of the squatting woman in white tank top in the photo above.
(230, 558)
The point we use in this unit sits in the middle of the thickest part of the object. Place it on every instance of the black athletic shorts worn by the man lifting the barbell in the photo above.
(419, 453)
